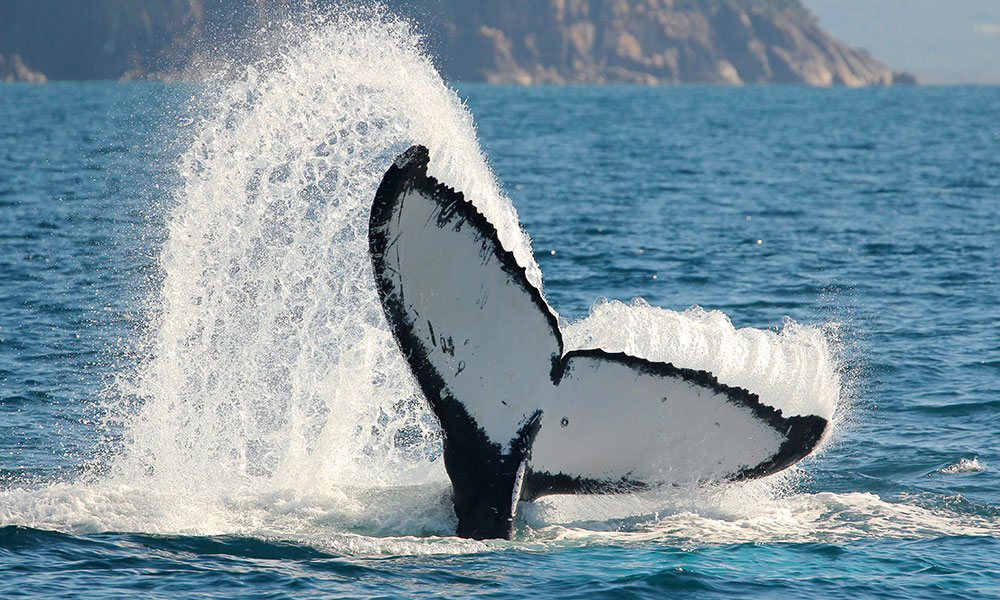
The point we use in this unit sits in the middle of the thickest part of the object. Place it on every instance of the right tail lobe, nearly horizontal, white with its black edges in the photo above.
(625, 423)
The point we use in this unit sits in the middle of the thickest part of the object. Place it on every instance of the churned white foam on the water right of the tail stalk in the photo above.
(749, 514)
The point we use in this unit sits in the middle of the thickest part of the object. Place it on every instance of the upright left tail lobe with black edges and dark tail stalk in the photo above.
(479, 338)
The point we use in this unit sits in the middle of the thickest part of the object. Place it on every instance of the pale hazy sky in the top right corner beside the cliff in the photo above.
(941, 41)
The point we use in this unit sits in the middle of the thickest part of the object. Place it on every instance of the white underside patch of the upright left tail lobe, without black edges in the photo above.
(483, 334)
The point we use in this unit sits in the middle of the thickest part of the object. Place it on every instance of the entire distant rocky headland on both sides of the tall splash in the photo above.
(513, 41)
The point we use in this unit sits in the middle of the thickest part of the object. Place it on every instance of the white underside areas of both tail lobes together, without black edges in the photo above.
(494, 346)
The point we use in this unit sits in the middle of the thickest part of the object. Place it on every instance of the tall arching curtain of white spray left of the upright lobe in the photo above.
(271, 367)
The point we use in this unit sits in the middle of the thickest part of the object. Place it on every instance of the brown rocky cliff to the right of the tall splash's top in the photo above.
(649, 41)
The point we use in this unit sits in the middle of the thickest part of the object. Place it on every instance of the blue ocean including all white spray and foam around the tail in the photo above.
(199, 396)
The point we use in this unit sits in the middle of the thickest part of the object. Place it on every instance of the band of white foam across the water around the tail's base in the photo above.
(735, 515)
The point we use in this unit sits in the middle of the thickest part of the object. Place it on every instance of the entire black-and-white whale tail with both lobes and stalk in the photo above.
(522, 417)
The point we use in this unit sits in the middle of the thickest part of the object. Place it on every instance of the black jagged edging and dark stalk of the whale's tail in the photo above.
(487, 479)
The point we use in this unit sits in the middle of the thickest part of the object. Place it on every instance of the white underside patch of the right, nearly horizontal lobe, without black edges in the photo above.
(607, 421)
